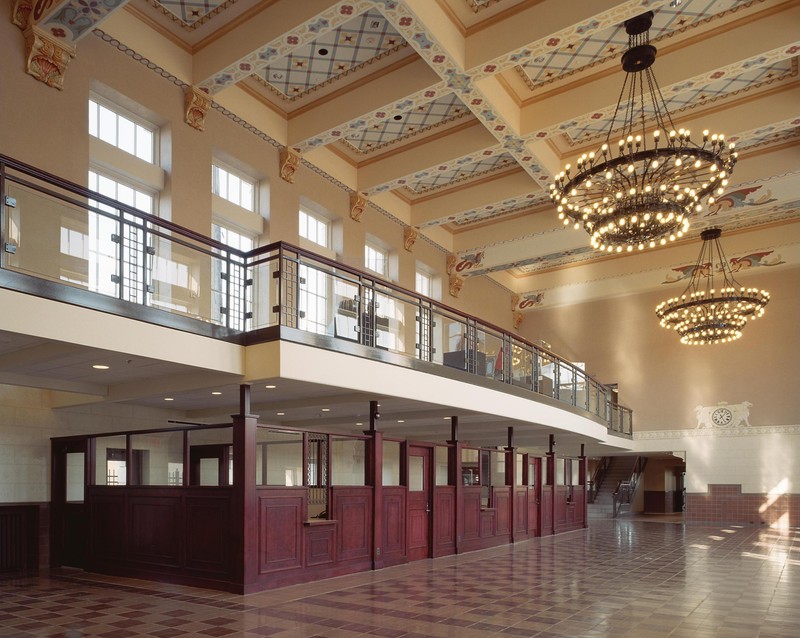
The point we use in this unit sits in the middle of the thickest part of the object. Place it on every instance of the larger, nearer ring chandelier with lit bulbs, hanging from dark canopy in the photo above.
(641, 190)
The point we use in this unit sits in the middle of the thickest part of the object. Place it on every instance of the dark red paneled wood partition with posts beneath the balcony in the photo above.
(244, 537)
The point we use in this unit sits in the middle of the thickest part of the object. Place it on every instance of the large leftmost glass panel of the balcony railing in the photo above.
(61, 241)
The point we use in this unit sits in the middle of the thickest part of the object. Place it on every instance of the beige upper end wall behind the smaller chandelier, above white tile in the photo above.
(661, 379)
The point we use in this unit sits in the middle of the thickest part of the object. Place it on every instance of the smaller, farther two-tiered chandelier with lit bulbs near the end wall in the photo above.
(709, 313)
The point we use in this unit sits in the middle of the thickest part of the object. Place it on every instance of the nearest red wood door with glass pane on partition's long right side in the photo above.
(419, 502)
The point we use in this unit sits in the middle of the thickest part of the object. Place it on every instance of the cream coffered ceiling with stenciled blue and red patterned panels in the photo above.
(452, 115)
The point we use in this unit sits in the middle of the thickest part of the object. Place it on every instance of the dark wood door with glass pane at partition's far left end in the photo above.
(68, 528)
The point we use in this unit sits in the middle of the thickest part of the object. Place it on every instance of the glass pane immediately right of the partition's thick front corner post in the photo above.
(279, 458)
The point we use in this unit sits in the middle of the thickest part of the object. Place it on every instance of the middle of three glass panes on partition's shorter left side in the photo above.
(161, 457)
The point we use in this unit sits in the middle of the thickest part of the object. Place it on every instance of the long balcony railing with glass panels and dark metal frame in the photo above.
(63, 237)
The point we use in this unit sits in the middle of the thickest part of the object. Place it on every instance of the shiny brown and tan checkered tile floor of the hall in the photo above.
(630, 578)
